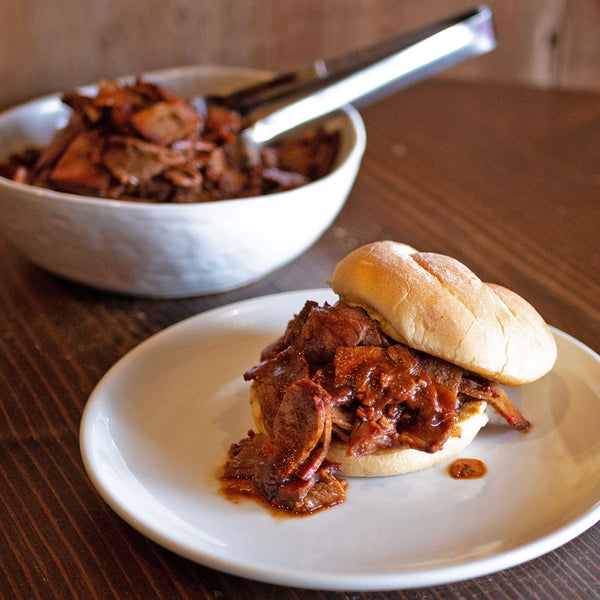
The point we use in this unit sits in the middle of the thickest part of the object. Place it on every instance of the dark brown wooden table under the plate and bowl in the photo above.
(503, 178)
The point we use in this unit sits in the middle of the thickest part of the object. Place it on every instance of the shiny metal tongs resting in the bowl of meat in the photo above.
(287, 101)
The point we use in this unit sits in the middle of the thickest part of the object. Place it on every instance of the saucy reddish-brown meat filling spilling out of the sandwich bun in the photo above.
(335, 376)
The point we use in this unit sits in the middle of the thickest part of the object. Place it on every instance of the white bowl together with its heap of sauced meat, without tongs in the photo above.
(127, 187)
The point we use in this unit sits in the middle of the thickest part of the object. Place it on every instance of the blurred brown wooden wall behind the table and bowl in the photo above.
(51, 46)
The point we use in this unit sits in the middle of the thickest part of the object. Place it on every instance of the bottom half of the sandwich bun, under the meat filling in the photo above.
(384, 463)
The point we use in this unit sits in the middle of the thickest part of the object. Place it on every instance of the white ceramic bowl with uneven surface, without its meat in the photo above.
(167, 250)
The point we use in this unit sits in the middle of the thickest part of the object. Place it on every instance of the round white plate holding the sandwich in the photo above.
(157, 428)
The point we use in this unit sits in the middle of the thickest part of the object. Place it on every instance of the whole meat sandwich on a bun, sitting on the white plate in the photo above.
(393, 378)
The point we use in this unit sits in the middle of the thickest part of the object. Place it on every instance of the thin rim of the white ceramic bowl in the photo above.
(347, 111)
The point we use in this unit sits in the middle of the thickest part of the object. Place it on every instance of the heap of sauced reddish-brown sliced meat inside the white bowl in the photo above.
(141, 142)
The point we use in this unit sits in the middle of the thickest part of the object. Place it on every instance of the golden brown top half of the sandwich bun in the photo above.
(435, 304)
